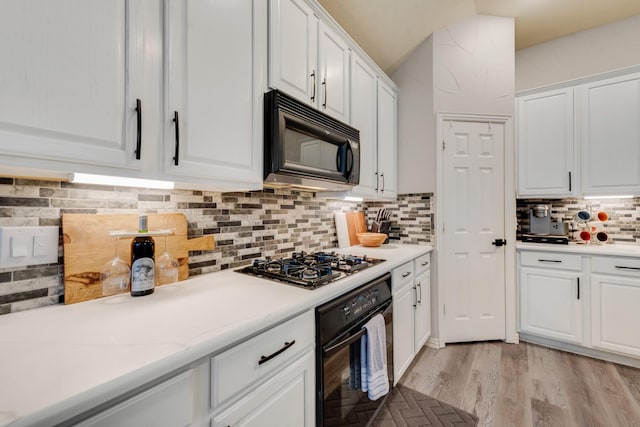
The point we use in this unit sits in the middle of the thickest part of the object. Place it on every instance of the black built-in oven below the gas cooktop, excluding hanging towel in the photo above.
(338, 332)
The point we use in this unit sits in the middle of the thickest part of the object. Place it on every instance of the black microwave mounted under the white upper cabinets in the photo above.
(307, 148)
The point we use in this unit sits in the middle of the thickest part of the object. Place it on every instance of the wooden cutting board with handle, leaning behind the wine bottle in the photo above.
(88, 246)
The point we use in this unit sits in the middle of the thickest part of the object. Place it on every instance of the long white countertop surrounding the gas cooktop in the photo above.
(59, 361)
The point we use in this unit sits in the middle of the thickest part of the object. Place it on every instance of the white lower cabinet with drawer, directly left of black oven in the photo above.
(268, 380)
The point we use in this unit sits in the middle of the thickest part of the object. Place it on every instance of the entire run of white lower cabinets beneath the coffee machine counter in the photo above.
(590, 301)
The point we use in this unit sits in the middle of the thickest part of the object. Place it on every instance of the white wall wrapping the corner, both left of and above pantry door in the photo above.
(465, 68)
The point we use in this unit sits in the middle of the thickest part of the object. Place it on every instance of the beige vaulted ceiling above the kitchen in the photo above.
(388, 30)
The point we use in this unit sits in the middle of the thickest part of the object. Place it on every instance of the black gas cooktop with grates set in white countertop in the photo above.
(308, 270)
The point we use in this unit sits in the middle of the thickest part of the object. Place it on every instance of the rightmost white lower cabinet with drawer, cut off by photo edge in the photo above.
(615, 299)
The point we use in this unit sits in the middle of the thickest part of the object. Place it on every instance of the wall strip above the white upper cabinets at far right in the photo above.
(601, 49)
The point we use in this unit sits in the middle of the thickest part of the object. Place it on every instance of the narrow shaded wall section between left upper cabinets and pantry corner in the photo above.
(416, 122)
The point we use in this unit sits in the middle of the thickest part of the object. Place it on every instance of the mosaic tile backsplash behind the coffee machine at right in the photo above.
(623, 225)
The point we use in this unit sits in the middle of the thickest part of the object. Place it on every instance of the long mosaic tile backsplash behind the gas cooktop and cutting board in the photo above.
(245, 225)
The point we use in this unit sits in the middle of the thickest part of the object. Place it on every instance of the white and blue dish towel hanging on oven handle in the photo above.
(375, 380)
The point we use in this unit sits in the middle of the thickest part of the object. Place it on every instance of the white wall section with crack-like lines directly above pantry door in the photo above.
(474, 66)
